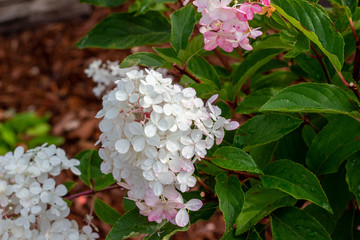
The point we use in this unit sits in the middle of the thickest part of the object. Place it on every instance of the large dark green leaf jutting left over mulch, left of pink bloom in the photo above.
(148, 29)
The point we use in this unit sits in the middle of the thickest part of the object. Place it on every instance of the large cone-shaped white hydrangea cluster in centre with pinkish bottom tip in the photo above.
(152, 133)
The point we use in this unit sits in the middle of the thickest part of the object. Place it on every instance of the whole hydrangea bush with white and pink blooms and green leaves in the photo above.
(250, 108)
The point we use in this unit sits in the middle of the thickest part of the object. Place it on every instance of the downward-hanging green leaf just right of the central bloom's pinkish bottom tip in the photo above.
(231, 198)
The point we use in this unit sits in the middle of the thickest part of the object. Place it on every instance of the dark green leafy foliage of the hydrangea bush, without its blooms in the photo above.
(295, 158)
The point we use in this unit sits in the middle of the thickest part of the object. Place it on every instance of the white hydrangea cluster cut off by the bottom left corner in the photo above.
(31, 204)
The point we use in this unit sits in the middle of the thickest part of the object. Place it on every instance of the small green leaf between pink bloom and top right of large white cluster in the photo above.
(203, 70)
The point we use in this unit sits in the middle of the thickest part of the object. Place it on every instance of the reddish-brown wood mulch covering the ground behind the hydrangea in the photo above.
(42, 71)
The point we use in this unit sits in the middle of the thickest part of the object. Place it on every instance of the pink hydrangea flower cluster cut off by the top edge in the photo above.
(225, 26)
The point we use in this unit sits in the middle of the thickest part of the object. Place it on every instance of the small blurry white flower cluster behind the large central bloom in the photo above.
(105, 74)
